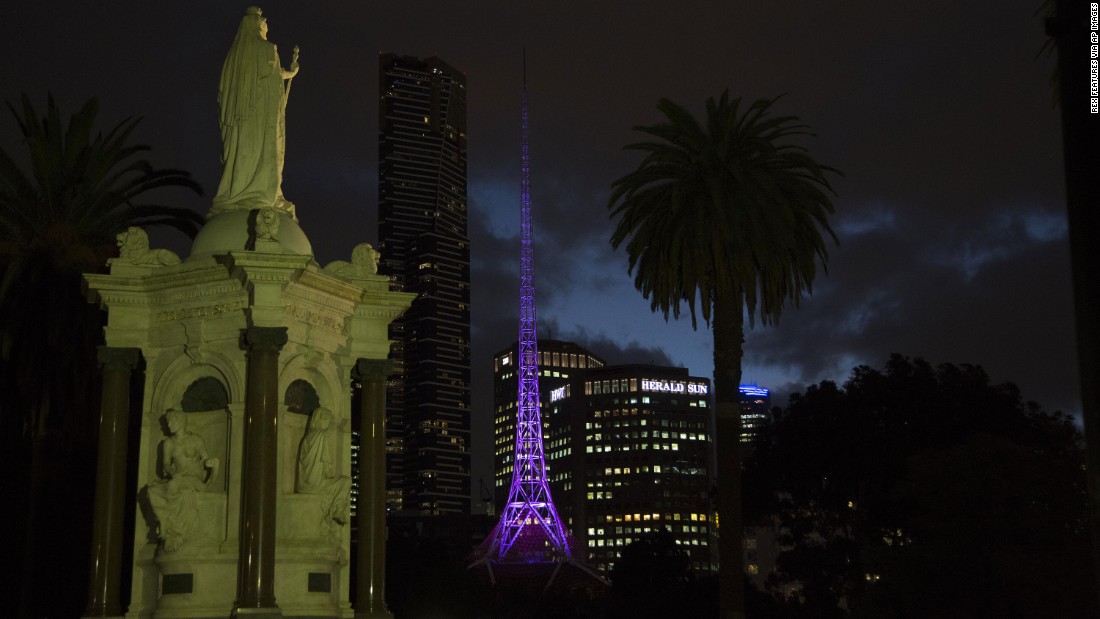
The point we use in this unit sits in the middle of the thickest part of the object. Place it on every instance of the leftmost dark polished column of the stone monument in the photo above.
(106, 559)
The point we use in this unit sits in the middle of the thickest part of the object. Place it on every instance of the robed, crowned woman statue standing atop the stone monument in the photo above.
(252, 98)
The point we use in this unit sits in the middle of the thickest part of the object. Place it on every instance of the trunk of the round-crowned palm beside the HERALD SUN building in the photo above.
(729, 349)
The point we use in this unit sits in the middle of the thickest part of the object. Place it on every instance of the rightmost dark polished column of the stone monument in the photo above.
(371, 511)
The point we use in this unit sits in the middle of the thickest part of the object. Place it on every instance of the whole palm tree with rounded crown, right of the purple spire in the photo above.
(728, 217)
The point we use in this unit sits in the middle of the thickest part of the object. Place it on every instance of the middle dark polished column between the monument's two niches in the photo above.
(256, 569)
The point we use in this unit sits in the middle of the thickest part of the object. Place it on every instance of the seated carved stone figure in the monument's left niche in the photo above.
(188, 469)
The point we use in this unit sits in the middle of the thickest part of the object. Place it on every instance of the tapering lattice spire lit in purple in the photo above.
(530, 529)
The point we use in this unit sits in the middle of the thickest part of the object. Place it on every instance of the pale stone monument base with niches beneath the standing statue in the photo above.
(246, 346)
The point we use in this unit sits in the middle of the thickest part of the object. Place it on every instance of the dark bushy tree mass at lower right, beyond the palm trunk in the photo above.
(921, 491)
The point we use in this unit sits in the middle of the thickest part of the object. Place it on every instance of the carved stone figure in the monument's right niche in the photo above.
(317, 469)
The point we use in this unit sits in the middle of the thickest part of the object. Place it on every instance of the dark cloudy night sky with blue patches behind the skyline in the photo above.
(951, 215)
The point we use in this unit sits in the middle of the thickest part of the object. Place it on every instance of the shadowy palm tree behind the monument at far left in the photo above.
(59, 219)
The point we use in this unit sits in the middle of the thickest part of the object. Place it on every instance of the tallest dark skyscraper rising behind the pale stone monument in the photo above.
(425, 250)
